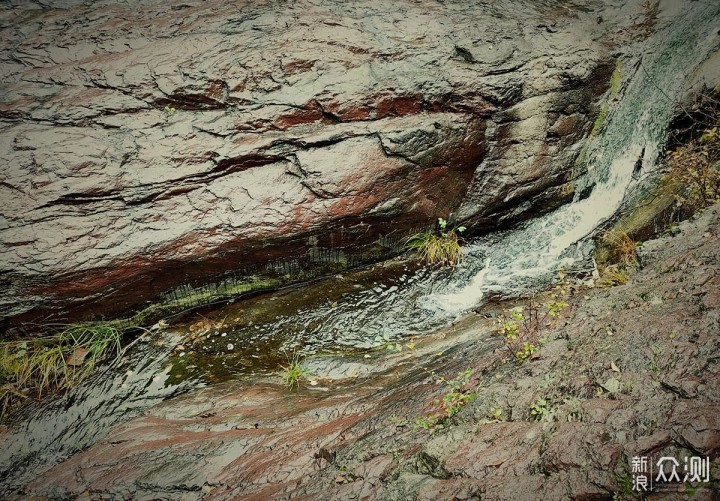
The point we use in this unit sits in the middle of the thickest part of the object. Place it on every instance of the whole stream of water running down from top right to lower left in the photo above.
(366, 309)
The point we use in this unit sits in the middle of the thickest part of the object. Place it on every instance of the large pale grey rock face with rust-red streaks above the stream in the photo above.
(157, 144)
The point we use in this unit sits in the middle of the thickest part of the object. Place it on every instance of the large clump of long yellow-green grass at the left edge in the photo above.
(34, 367)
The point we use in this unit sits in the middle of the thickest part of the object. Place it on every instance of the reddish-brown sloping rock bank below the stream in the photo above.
(627, 371)
